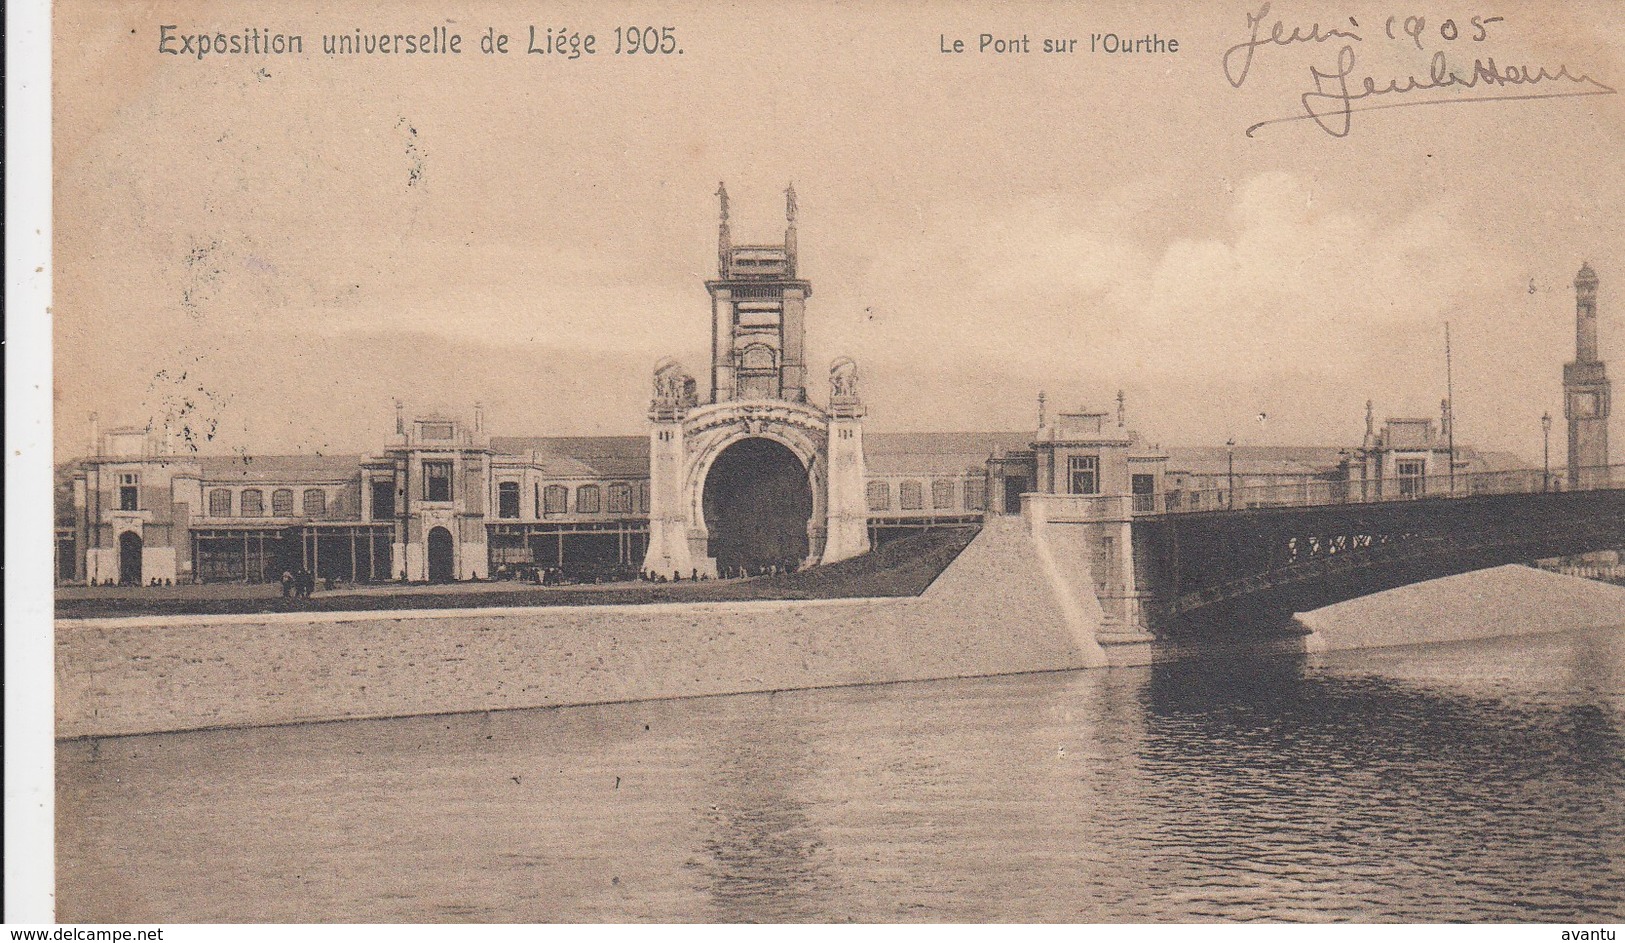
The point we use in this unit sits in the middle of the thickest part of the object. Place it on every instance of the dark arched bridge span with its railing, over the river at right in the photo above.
(1260, 555)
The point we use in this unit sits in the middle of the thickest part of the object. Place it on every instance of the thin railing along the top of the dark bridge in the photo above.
(1314, 493)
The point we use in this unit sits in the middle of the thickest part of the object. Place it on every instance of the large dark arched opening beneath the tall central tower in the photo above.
(758, 503)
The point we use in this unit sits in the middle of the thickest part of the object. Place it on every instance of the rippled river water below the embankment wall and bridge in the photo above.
(1478, 781)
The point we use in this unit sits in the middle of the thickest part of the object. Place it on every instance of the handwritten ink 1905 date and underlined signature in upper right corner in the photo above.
(1335, 98)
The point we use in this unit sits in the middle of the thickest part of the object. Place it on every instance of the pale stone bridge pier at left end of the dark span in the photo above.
(1090, 542)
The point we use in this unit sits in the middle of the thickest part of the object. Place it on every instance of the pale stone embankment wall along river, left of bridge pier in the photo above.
(992, 612)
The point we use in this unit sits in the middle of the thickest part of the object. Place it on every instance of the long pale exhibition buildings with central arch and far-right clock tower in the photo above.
(748, 476)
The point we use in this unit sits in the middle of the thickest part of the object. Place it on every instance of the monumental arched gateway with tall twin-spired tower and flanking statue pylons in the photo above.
(756, 476)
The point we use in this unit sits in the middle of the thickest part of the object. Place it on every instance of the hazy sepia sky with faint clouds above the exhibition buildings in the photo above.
(279, 248)
